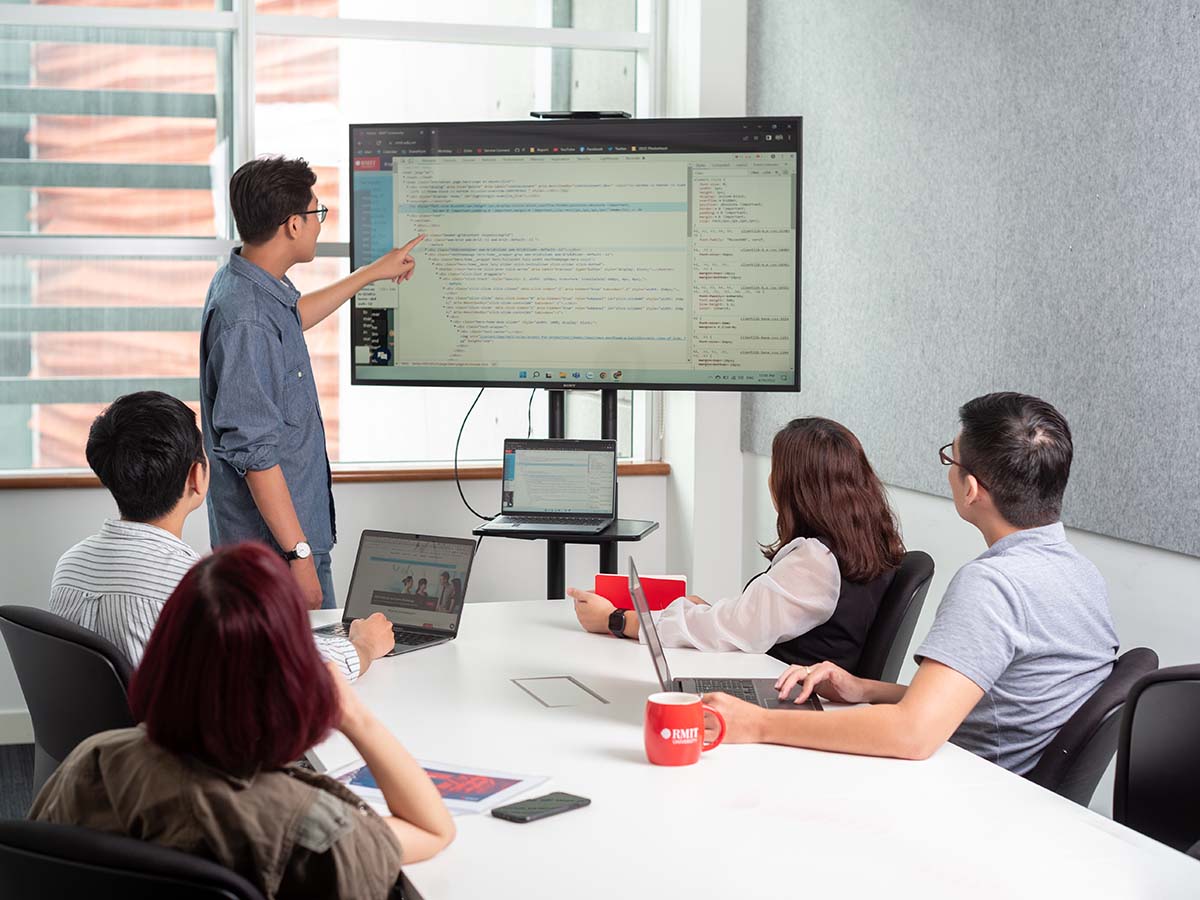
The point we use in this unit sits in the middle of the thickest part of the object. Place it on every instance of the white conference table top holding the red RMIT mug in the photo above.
(748, 821)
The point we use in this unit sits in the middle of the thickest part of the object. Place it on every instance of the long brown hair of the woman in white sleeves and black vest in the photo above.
(825, 488)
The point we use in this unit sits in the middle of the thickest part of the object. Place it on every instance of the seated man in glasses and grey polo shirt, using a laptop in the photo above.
(1022, 638)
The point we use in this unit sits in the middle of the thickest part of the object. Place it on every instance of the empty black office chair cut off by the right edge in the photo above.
(1157, 789)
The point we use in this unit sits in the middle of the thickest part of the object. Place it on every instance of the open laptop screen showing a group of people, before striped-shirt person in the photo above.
(416, 580)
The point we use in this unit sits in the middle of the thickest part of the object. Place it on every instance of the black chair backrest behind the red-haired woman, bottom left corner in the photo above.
(45, 860)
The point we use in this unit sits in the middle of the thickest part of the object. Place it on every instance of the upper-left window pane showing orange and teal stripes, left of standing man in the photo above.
(115, 133)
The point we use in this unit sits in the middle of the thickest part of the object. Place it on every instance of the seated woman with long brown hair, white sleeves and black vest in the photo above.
(836, 553)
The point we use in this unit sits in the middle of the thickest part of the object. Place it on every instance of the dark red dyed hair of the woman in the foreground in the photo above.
(232, 675)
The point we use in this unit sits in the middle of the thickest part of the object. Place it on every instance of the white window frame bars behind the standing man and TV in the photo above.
(244, 25)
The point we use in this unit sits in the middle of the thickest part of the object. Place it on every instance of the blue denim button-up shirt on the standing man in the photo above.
(260, 406)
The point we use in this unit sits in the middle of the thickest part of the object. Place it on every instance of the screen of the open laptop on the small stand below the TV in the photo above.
(560, 477)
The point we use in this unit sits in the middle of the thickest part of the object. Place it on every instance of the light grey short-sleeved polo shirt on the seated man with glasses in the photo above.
(1029, 622)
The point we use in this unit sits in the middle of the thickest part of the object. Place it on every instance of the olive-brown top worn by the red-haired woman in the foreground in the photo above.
(290, 832)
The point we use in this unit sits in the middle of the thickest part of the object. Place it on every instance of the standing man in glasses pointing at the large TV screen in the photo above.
(260, 411)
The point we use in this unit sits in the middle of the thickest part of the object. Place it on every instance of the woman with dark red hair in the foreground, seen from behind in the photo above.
(231, 691)
